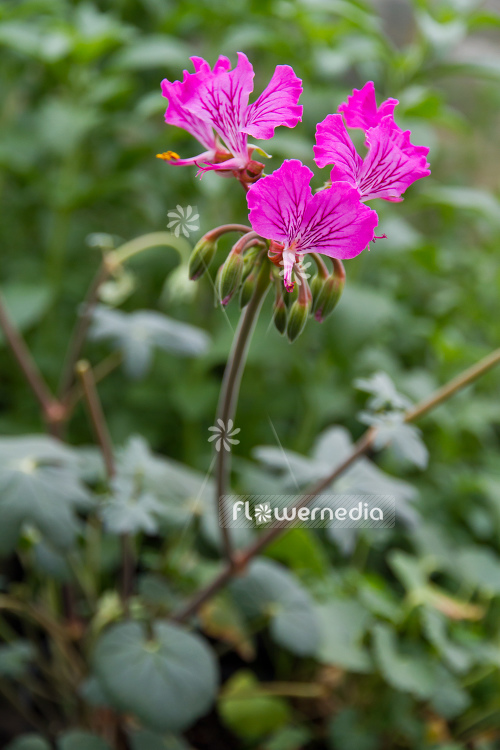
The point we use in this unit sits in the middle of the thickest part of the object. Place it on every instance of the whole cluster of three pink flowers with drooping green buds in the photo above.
(289, 220)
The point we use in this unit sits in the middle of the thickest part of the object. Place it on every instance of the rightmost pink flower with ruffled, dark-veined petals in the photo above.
(392, 163)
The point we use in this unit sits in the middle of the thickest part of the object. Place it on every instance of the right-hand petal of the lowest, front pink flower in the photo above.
(336, 223)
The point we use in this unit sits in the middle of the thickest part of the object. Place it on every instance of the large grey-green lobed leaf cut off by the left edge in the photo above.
(39, 486)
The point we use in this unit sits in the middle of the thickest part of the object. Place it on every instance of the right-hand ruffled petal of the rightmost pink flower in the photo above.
(392, 162)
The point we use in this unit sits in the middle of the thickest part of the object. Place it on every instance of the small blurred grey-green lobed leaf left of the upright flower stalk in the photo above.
(137, 334)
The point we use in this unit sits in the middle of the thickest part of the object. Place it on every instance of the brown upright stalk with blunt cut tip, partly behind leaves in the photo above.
(103, 438)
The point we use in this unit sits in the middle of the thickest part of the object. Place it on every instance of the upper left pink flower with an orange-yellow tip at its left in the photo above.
(213, 106)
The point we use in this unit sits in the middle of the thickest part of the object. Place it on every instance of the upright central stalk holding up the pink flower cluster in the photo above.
(230, 389)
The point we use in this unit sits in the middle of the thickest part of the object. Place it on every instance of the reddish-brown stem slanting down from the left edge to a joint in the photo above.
(51, 408)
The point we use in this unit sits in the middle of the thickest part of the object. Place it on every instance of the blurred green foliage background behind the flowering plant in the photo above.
(81, 122)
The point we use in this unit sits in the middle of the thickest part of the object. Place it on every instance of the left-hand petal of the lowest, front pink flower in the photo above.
(278, 201)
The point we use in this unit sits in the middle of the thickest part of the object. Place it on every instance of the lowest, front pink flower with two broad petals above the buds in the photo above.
(332, 222)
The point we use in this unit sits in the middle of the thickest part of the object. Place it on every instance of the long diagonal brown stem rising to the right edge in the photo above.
(365, 443)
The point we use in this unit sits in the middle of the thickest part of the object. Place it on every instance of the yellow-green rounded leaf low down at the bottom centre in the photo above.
(249, 712)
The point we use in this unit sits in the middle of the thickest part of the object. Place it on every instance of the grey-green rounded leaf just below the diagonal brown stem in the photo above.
(270, 590)
